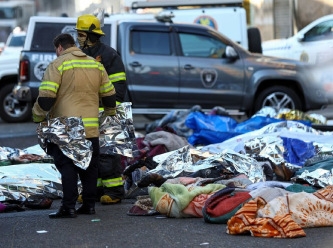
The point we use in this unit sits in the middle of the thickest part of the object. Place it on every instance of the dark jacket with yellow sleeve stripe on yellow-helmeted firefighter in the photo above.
(113, 65)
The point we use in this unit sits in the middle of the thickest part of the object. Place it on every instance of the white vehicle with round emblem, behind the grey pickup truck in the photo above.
(226, 16)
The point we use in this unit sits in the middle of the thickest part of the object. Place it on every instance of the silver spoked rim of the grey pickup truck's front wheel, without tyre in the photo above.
(279, 100)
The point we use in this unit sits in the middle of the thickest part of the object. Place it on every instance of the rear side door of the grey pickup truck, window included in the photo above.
(152, 70)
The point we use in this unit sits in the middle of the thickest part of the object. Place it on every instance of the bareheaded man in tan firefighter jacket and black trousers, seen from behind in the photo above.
(74, 85)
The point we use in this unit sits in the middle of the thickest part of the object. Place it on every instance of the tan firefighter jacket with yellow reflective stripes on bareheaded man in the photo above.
(77, 84)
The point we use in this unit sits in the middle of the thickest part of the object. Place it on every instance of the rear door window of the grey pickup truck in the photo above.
(145, 42)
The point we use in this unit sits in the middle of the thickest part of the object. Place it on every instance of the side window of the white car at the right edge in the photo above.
(322, 31)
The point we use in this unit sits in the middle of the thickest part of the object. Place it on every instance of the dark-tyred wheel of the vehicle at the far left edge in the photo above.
(11, 110)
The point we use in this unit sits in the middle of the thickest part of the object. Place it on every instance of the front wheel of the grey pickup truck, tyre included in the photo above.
(278, 97)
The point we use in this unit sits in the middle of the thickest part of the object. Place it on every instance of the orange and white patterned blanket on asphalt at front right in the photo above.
(284, 216)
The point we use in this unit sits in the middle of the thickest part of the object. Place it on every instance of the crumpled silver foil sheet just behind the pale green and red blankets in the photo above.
(181, 161)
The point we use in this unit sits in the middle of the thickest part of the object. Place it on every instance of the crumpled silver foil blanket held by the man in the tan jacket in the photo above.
(69, 134)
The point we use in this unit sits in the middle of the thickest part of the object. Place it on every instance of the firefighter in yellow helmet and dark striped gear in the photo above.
(110, 188)
